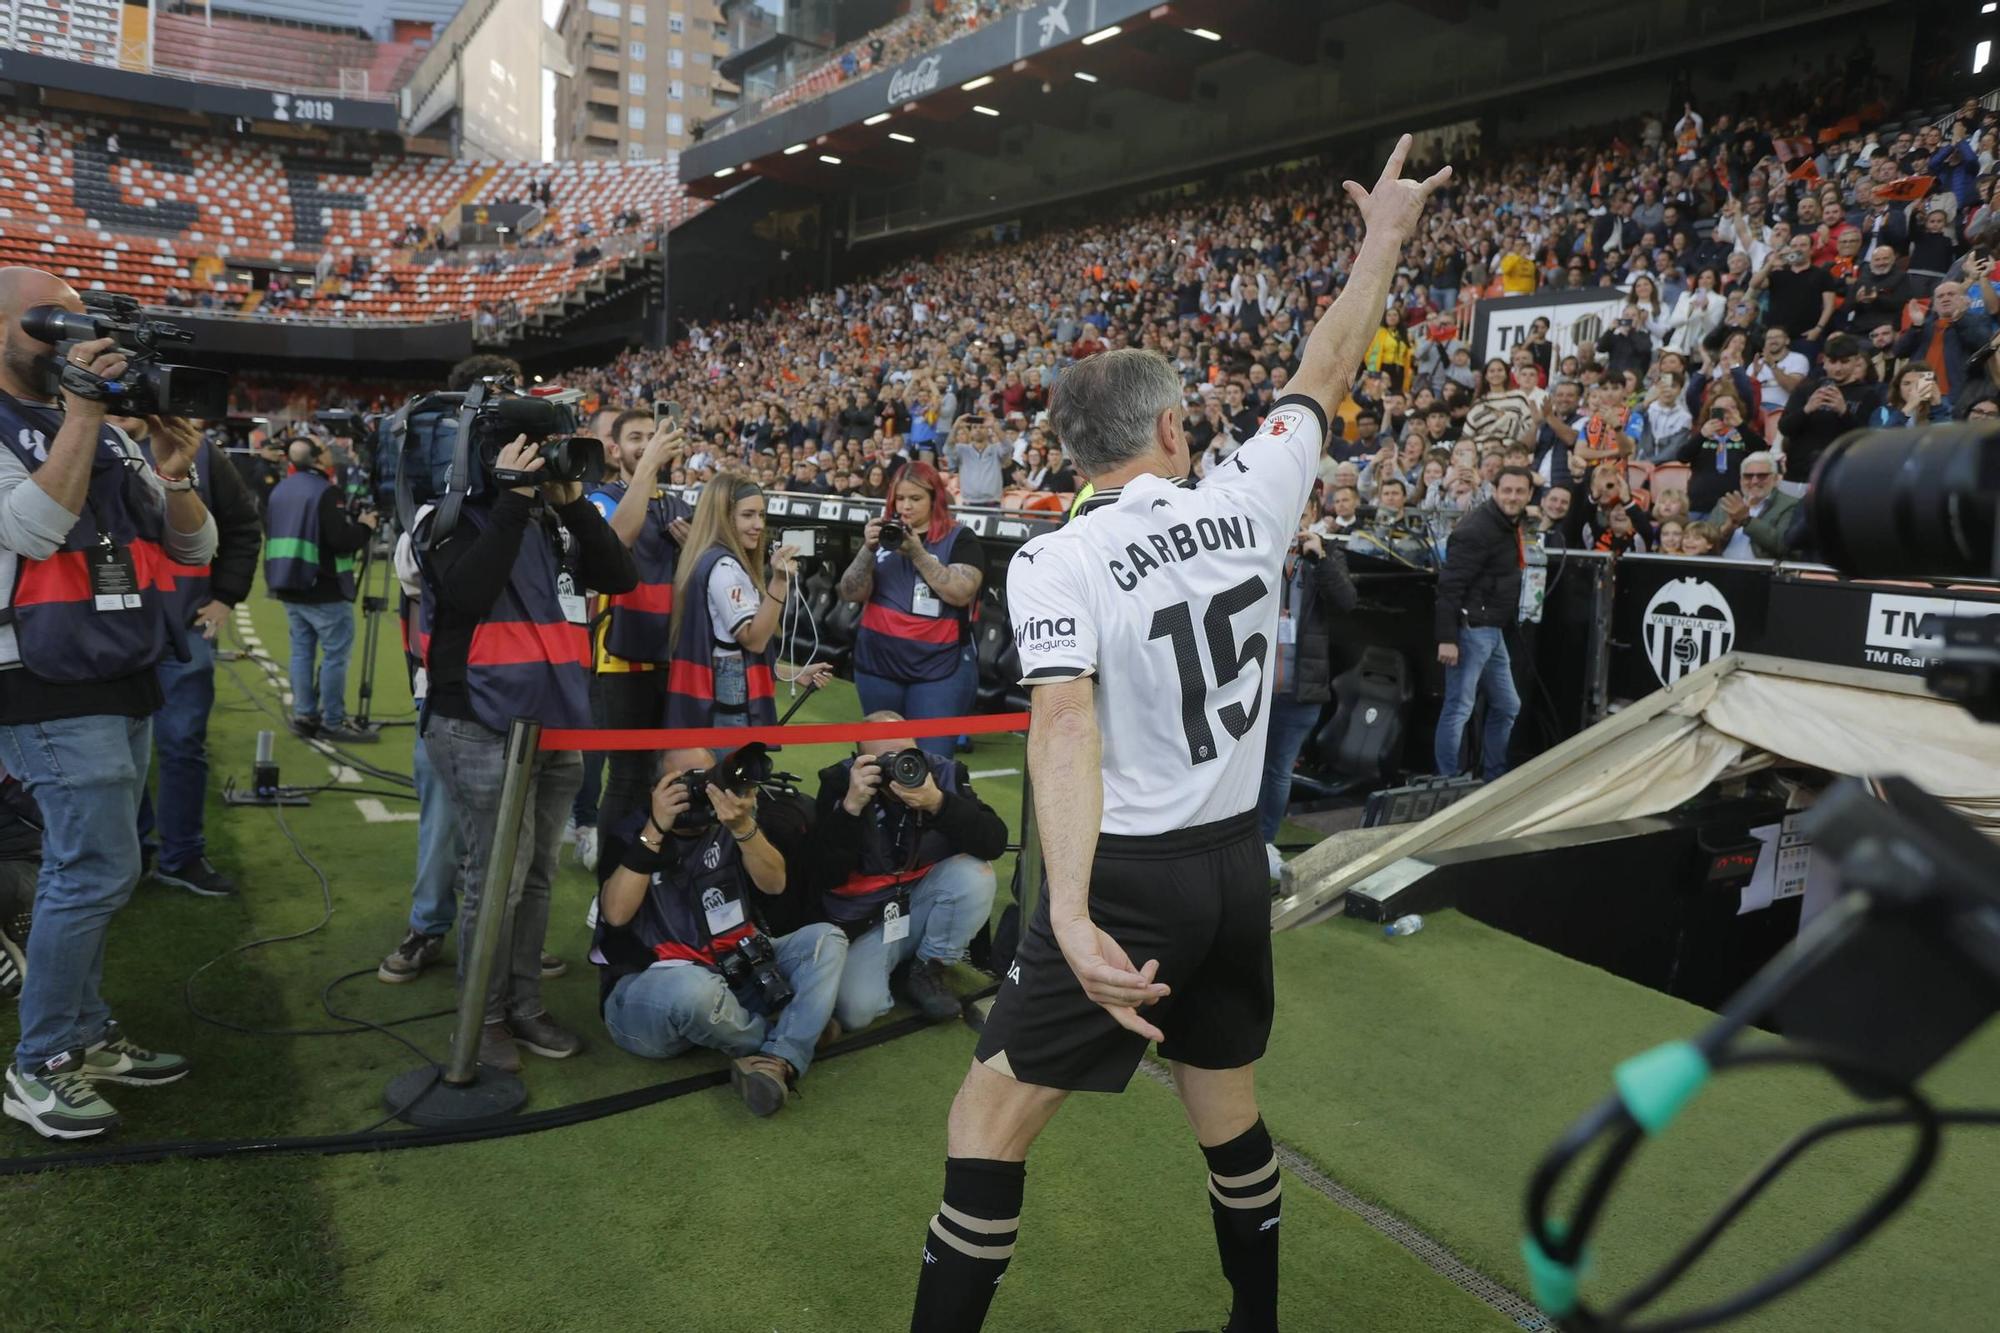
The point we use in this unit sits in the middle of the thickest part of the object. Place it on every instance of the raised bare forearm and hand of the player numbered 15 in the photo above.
(1339, 341)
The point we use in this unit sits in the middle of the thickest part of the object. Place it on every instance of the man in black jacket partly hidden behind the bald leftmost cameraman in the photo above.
(203, 601)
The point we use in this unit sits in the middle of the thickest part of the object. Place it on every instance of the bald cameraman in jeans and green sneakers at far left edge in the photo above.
(81, 517)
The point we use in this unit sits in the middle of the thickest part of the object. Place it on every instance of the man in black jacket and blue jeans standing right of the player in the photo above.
(1479, 599)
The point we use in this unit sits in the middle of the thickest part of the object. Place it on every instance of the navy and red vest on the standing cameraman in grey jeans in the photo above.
(529, 657)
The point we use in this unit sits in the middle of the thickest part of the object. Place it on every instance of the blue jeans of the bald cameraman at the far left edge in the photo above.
(87, 776)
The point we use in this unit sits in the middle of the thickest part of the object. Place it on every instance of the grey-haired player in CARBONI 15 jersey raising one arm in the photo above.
(1147, 790)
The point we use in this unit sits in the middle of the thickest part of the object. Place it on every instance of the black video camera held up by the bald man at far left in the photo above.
(149, 387)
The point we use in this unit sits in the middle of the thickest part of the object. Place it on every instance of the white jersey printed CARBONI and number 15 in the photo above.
(1171, 599)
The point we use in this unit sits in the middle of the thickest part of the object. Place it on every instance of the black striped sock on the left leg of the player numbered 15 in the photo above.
(969, 1244)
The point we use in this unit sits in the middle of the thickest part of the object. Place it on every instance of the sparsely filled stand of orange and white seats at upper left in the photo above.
(337, 239)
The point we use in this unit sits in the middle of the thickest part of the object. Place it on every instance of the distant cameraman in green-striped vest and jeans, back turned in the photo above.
(309, 565)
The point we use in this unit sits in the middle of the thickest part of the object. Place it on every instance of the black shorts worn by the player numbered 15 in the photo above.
(1197, 900)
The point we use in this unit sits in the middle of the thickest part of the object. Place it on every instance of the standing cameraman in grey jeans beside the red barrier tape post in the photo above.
(509, 637)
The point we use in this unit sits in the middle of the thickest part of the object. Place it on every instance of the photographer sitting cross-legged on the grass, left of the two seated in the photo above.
(671, 916)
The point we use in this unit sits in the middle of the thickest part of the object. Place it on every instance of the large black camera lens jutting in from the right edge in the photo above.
(1915, 501)
